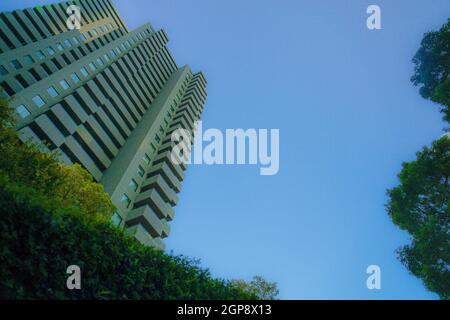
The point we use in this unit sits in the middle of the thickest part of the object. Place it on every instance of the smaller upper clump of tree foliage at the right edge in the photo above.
(432, 67)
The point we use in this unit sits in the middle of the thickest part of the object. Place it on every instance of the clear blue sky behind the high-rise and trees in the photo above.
(348, 116)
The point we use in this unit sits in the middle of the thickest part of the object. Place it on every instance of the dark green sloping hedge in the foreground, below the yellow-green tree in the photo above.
(40, 239)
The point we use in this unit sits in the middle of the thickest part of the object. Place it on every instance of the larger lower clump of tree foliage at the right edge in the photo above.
(421, 205)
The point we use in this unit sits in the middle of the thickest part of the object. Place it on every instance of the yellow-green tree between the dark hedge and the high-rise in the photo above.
(25, 163)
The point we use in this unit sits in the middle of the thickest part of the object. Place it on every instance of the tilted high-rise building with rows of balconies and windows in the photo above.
(105, 97)
